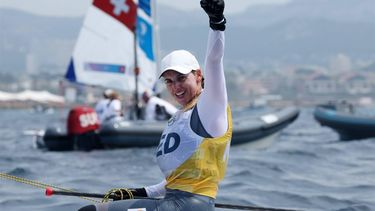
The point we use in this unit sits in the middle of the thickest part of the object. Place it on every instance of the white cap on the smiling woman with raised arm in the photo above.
(181, 61)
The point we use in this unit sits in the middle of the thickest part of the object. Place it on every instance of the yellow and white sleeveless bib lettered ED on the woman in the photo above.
(190, 162)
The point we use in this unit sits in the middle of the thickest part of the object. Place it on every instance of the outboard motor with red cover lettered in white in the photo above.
(81, 127)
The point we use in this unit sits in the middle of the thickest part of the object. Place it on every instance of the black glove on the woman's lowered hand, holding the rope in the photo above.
(125, 193)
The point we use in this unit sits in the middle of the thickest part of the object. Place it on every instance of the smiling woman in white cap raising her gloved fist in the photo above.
(194, 147)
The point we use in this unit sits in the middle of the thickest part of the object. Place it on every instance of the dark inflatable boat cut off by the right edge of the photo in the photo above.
(343, 120)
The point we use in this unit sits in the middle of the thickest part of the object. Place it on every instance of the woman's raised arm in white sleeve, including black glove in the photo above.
(212, 105)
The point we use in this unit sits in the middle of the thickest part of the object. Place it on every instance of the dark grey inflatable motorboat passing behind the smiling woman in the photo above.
(256, 129)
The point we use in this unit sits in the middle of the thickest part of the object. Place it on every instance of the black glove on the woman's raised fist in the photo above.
(215, 11)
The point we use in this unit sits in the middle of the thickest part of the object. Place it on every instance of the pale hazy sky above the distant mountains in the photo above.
(73, 8)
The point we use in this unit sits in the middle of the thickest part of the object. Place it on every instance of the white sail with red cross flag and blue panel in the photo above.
(104, 52)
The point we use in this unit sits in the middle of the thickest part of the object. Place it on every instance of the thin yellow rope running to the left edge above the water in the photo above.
(39, 184)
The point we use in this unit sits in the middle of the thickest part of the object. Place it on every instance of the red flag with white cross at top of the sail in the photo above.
(124, 11)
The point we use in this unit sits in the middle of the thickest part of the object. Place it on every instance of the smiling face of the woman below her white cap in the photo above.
(183, 87)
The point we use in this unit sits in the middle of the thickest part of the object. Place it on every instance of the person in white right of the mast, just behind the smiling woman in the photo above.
(157, 108)
